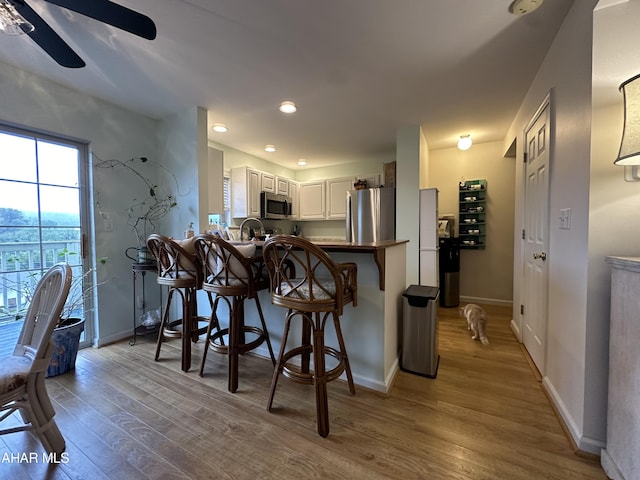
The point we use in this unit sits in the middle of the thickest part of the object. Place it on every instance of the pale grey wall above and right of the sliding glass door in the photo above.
(33, 102)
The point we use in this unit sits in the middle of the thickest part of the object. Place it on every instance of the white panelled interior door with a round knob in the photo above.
(536, 236)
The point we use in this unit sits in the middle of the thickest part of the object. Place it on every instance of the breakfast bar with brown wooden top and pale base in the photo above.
(371, 329)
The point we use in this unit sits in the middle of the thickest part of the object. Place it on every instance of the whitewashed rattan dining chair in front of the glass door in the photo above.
(22, 375)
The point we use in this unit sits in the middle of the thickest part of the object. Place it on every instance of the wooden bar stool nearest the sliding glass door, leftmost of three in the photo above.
(179, 270)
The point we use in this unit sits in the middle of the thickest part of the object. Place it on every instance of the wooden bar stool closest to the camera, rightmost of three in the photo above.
(305, 281)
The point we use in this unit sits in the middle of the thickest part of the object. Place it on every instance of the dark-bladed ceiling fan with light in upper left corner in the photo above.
(102, 10)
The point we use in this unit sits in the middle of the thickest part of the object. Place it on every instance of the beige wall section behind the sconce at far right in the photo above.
(614, 203)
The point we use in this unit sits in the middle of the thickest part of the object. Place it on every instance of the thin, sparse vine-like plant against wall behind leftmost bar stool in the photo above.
(146, 209)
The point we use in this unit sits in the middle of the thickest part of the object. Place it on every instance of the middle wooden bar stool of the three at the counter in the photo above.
(233, 274)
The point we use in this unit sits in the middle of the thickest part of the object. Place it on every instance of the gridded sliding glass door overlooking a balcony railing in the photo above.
(43, 216)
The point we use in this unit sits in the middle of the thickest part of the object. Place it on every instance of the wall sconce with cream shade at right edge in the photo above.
(629, 153)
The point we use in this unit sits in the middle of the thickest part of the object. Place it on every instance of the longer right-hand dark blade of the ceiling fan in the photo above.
(113, 14)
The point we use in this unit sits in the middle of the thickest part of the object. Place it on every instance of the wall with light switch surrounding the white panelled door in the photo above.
(566, 72)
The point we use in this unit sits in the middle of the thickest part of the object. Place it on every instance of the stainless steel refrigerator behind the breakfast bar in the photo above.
(371, 215)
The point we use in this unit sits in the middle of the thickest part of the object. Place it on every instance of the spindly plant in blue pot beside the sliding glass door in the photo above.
(69, 328)
